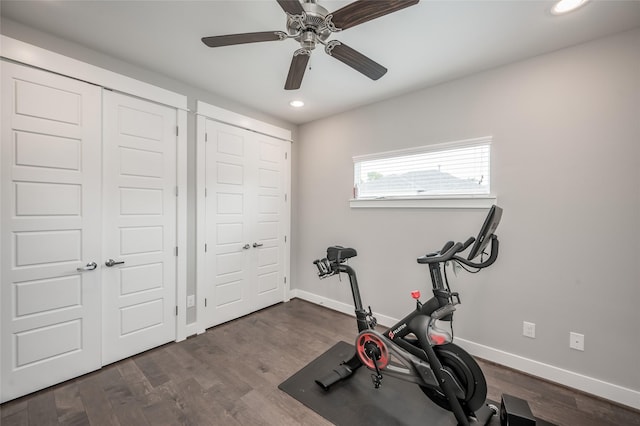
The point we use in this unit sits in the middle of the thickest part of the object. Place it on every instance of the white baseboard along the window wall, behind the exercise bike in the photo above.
(599, 388)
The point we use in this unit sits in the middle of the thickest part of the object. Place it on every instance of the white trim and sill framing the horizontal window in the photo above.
(456, 201)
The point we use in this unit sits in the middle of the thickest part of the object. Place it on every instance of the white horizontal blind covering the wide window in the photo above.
(454, 169)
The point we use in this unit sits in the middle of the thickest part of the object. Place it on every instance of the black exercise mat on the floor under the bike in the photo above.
(355, 401)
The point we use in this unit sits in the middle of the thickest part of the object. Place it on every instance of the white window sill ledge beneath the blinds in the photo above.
(480, 202)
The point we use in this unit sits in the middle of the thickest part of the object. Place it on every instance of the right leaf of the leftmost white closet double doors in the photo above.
(139, 237)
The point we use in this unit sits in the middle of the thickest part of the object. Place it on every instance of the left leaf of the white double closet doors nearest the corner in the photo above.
(228, 207)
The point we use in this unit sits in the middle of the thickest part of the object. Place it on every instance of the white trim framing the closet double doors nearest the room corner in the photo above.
(206, 111)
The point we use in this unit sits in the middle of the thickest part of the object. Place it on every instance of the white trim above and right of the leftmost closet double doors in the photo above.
(35, 56)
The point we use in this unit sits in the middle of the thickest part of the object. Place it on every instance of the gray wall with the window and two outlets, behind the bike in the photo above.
(566, 170)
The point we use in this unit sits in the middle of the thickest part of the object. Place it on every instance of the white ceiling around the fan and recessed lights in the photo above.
(423, 45)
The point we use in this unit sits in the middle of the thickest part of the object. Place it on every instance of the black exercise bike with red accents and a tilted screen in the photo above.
(419, 347)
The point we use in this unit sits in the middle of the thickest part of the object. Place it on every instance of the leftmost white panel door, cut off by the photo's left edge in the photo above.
(50, 197)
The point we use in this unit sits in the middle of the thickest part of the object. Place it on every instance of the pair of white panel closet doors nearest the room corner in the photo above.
(245, 203)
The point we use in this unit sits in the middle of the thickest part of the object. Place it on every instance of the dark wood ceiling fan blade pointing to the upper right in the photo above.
(361, 11)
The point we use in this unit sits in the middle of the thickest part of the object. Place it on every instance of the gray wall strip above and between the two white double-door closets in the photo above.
(73, 50)
